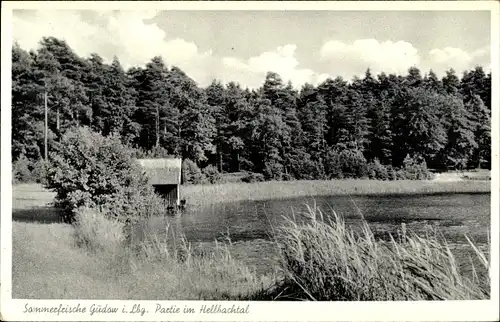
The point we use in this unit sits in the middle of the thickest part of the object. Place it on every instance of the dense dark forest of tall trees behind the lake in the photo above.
(334, 130)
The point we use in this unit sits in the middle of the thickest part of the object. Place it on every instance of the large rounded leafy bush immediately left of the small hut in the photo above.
(89, 170)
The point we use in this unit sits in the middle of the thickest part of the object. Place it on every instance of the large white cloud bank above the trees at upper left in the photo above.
(125, 34)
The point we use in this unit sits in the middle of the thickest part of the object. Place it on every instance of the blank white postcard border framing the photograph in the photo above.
(11, 309)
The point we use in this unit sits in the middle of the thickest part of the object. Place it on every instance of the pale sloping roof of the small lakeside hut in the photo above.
(162, 171)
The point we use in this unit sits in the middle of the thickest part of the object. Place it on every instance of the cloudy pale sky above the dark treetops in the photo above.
(242, 46)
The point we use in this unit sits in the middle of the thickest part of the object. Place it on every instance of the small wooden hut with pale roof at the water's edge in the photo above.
(165, 176)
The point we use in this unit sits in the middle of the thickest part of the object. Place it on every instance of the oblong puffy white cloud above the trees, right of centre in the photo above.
(349, 59)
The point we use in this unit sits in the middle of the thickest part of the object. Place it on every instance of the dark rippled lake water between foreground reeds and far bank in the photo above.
(249, 224)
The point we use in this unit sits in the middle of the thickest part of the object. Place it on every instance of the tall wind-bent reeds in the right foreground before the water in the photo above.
(324, 260)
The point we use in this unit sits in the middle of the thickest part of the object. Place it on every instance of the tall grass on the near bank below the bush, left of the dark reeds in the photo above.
(165, 267)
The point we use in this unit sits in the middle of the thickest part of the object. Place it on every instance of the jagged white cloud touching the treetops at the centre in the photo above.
(281, 60)
